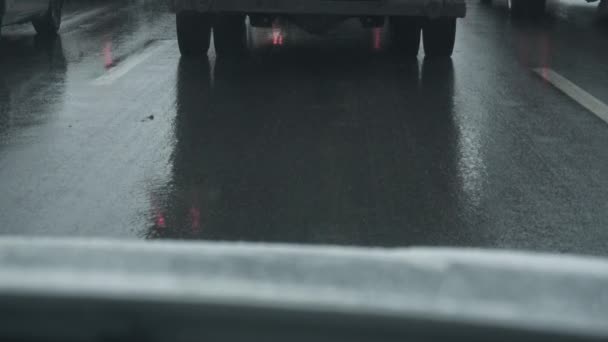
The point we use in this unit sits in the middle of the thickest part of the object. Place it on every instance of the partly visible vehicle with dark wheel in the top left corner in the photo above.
(44, 14)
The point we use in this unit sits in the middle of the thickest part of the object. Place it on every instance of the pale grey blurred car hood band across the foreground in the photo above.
(488, 287)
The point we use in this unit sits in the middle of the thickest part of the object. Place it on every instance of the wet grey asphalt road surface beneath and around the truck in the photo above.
(107, 133)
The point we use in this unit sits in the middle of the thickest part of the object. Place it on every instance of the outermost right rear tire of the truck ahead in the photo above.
(438, 37)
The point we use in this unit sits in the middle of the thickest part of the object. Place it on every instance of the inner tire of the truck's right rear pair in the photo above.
(405, 35)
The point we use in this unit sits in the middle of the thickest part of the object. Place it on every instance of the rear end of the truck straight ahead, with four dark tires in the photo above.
(434, 20)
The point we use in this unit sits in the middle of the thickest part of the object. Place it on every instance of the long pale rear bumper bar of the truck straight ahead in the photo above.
(428, 8)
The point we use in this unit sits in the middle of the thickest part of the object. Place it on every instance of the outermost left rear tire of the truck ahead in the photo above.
(193, 33)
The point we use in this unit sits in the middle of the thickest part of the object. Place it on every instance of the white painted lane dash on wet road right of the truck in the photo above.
(595, 106)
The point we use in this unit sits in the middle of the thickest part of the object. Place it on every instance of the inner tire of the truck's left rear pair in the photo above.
(229, 35)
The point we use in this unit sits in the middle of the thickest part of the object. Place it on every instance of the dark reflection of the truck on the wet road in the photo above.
(276, 149)
